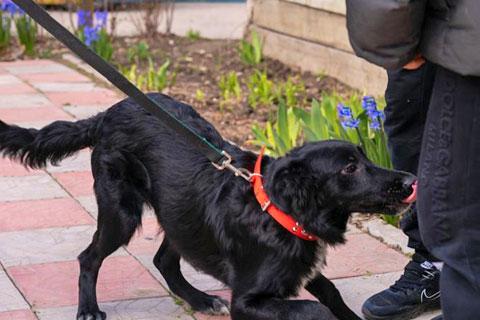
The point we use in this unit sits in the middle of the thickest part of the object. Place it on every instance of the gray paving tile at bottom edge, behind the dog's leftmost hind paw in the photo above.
(142, 309)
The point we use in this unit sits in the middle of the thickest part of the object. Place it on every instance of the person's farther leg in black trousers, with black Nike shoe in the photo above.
(408, 96)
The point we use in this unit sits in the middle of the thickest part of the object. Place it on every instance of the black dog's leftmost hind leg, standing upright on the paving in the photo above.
(119, 214)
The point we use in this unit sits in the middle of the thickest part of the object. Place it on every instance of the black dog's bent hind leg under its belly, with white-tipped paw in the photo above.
(167, 261)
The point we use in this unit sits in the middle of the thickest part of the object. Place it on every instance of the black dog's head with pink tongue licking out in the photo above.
(320, 184)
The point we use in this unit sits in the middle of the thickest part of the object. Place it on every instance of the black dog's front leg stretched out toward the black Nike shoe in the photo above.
(326, 292)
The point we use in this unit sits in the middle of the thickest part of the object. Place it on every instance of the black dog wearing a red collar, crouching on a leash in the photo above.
(210, 217)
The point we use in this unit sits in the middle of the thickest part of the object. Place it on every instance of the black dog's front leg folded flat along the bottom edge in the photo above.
(261, 307)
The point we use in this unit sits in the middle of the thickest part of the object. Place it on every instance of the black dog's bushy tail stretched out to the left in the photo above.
(59, 140)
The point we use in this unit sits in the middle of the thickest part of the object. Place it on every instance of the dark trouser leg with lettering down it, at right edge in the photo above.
(449, 190)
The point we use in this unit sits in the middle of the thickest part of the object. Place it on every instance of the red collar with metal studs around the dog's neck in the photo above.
(278, 215)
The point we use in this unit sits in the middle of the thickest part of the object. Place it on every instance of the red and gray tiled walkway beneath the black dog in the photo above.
(47, 217)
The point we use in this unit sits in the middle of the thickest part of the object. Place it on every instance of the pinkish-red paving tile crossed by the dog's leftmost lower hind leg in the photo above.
(55, 284)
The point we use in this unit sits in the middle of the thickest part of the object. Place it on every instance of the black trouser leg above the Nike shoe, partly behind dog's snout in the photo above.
(408, 97)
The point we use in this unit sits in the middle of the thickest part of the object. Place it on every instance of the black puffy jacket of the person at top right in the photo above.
(390, 33)
